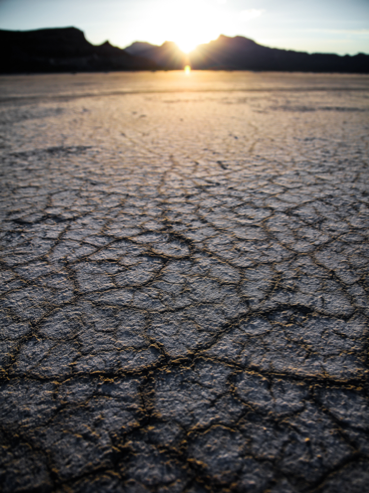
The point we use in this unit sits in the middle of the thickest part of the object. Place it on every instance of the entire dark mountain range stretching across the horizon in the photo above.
(67, 50)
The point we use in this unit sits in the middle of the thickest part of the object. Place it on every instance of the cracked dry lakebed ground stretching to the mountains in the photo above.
(184, 283)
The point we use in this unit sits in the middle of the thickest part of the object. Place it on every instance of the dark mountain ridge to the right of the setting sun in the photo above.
(240, 53)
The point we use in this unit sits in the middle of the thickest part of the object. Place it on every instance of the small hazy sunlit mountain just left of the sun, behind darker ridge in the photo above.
(167, 56)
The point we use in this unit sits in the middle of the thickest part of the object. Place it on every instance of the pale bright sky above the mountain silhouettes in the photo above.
(326, 26)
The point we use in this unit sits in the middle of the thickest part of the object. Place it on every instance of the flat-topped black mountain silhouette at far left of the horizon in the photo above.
(62, 50)
